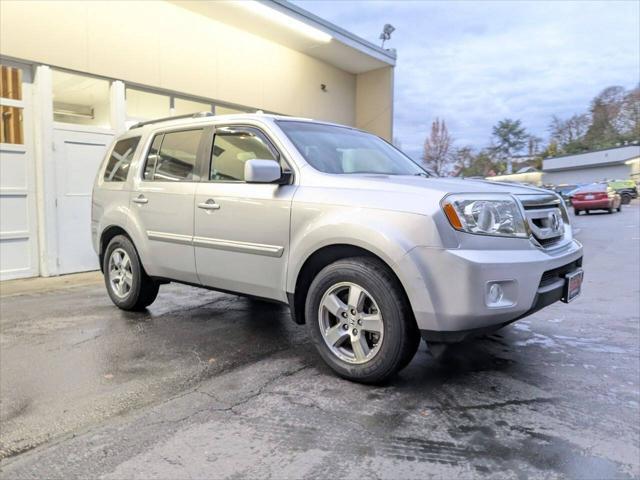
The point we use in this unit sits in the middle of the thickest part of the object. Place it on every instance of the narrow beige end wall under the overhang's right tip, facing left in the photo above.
(374, 102)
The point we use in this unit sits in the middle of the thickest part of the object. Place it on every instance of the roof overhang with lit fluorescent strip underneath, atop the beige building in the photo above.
(289, 25)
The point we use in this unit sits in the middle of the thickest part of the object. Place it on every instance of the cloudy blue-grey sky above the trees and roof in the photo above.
(473, 63)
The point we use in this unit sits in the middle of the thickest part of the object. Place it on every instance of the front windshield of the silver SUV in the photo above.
(342, 150)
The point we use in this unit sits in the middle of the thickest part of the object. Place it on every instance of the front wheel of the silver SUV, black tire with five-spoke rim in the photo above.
(360, 321)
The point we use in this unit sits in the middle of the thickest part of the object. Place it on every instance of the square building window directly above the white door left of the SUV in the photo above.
(81, 100)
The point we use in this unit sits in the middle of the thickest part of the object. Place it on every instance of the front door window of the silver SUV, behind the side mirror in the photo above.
(232, 147)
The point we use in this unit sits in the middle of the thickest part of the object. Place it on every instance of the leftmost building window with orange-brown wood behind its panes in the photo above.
(10, 105)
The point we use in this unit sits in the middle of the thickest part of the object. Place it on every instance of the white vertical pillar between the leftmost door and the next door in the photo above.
(45, 171)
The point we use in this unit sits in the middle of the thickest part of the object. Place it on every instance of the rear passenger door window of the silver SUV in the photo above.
(175, 158)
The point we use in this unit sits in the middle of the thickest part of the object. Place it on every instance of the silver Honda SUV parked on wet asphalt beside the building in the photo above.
(364, 246)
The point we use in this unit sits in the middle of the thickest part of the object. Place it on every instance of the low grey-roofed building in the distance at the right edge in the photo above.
(609, 164)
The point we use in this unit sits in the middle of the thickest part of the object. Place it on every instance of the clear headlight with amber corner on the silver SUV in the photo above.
(491, 214)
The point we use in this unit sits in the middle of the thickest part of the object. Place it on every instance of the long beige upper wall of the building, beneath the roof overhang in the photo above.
(161, 45)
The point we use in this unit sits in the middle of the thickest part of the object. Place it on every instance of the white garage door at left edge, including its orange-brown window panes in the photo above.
(18, 237)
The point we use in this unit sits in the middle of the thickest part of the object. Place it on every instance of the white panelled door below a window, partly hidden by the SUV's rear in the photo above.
(78, 153)
